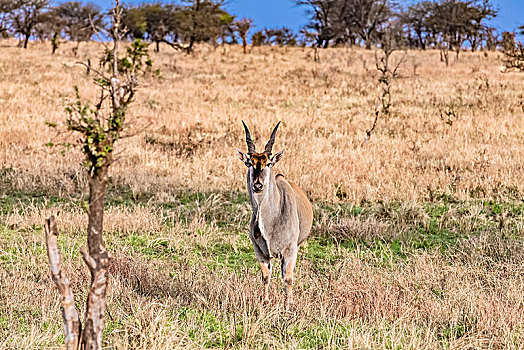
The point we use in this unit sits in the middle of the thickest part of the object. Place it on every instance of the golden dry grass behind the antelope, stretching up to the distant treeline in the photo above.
(456, 129)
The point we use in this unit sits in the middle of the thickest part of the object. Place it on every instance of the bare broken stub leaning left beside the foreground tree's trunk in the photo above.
(72, 325)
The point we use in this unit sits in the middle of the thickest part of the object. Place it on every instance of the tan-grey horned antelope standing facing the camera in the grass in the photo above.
(282, 214)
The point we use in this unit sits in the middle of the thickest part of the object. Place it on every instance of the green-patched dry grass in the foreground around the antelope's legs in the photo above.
(197, 286)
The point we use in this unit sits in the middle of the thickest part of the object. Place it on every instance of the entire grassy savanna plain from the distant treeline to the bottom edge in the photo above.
(417, 241)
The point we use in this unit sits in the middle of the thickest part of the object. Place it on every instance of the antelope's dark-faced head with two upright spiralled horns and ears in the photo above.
(259, 164)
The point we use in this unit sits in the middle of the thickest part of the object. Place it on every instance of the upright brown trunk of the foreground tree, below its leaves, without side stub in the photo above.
(97, 259)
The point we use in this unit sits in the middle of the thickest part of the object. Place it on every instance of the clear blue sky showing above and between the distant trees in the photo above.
(278, 13)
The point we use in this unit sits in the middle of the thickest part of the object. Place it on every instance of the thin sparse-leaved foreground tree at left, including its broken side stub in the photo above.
(99, 127)
